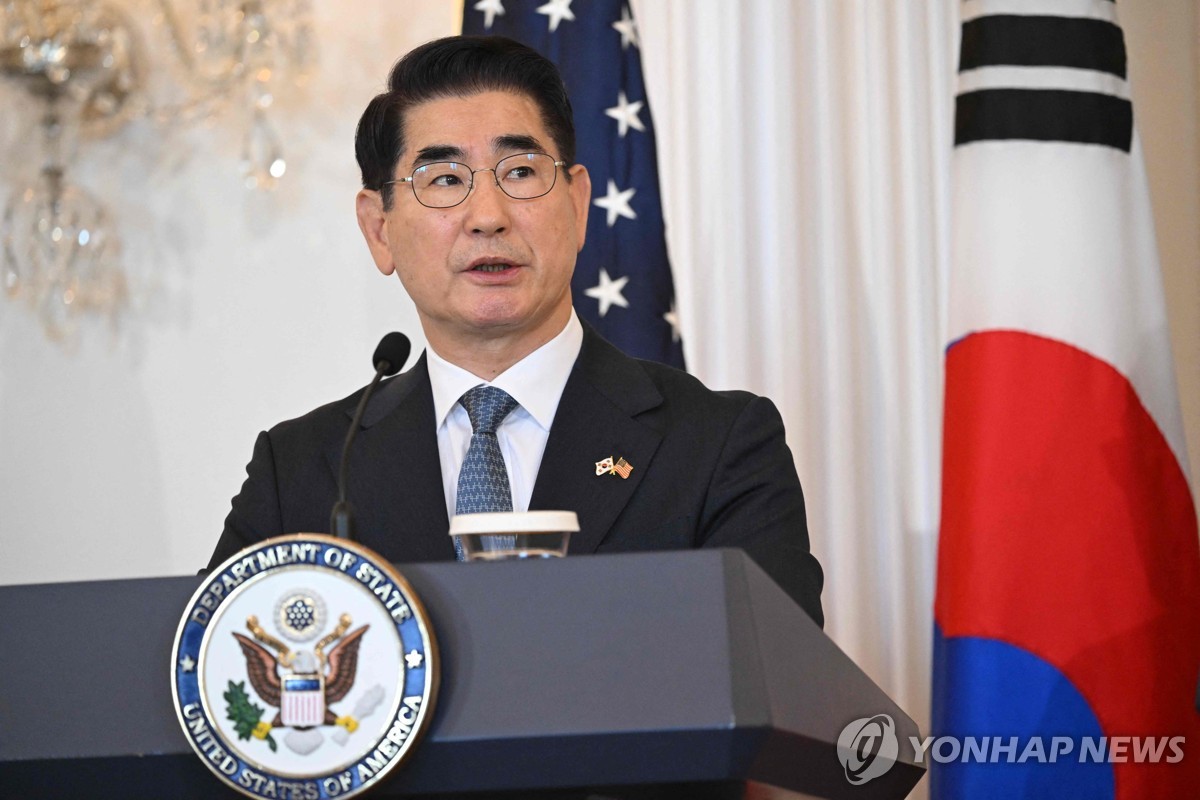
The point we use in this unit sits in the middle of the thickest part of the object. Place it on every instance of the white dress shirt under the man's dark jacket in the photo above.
(536, 382)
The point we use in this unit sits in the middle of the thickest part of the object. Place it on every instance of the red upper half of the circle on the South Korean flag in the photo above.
(1069, 530)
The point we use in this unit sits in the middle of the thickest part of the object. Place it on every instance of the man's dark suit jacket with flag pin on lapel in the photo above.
(711, 470)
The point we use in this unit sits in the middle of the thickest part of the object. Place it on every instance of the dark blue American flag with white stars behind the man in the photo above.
(622, 282)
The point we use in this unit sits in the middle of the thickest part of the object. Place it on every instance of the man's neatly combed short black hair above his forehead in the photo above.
(459, 67)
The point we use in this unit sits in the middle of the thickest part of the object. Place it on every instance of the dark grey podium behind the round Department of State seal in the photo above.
(682, 675)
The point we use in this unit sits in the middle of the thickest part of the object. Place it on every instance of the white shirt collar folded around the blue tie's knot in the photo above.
(536, 382)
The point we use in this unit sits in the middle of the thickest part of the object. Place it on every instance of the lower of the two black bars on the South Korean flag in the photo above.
(1045, 116)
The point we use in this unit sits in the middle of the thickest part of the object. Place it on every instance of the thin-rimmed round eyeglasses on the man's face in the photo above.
(446, 184)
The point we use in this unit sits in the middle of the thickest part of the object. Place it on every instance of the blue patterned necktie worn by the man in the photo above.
(484, 480)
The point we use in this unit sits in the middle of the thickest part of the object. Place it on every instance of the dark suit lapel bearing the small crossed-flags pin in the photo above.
(596, 420)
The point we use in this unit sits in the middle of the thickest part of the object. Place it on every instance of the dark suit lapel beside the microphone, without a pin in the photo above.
(395, 474)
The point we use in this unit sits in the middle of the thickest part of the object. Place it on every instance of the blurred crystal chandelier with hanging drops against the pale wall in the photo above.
(89, 73)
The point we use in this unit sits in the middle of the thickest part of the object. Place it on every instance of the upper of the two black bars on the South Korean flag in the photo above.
(1006, 40)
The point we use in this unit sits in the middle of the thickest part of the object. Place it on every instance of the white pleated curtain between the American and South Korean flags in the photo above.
(805, 154)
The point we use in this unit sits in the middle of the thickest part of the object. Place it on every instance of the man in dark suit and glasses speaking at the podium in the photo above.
(484, 238)
